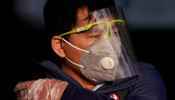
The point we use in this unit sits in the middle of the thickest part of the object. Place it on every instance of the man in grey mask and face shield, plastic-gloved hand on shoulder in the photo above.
(94, 59)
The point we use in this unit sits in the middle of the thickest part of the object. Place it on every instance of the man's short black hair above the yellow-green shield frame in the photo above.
(61, 15)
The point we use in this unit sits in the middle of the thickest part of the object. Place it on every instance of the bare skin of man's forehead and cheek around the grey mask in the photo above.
(84, 39)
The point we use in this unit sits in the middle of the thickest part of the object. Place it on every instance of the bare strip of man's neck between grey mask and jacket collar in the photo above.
(75, 73)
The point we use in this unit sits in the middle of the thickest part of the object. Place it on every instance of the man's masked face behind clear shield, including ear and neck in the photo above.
(103, 43)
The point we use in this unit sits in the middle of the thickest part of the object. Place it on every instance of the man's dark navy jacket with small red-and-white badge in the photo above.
(148, 86)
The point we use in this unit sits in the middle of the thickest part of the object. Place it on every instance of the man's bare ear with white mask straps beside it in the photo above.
(56, 43)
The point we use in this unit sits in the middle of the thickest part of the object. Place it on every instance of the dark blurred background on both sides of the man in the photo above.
(151, 24)
